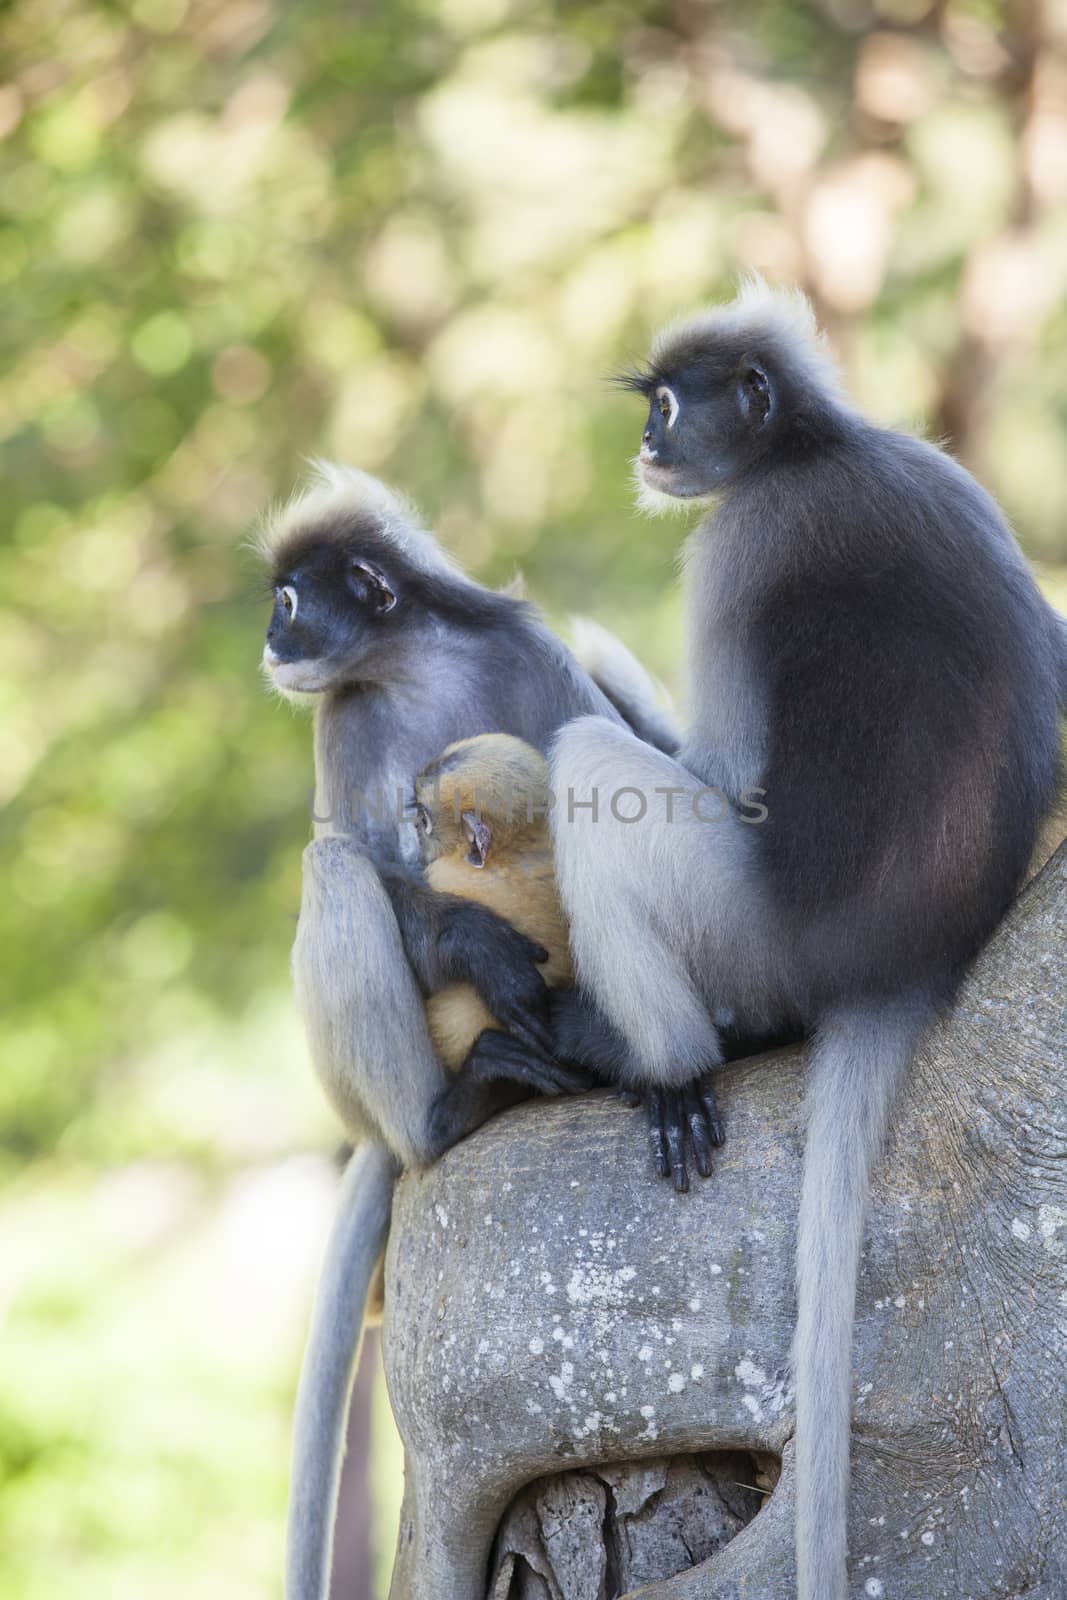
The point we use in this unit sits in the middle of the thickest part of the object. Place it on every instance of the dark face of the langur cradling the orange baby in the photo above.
(332, 617)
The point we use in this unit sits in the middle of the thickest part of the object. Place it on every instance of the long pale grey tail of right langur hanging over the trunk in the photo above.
(858, 1063)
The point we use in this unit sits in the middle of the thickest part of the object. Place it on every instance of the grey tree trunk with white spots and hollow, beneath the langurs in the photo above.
(591, 1374)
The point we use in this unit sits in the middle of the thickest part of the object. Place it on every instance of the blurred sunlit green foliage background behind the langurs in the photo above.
(414, 234)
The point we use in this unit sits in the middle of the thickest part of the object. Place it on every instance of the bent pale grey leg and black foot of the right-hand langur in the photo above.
(628, 892)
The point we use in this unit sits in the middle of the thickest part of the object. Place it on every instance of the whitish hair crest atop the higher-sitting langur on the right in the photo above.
(777, 322)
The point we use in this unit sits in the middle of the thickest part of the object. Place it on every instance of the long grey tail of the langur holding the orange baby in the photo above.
(334, 1343)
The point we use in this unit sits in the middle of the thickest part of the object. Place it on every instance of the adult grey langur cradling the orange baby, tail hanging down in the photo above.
(404, 655)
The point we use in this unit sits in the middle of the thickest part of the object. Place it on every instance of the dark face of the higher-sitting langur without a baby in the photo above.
(706, 420)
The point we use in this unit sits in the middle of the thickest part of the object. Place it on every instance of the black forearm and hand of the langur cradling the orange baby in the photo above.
(450, 940)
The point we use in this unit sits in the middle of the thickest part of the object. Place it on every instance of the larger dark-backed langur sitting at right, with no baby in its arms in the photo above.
(869, 649)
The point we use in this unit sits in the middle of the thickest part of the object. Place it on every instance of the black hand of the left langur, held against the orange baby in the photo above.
(500, 962)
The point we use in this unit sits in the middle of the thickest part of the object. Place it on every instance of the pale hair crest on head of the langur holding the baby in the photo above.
(335, 497)
